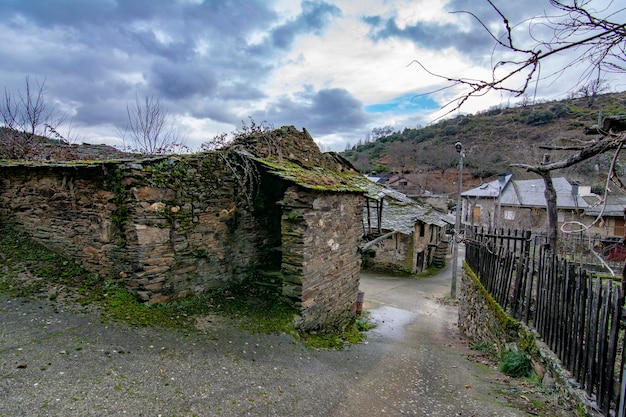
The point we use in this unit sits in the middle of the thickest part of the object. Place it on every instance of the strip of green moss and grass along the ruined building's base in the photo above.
(256, 308)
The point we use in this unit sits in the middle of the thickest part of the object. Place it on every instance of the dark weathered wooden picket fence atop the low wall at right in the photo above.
(575, 313)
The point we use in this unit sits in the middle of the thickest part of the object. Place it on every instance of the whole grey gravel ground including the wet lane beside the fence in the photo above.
(59, 362)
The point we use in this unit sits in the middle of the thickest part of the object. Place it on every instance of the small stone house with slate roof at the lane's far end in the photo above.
(402, 234)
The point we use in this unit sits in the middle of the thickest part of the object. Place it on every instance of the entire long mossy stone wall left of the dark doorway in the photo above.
(167, 228)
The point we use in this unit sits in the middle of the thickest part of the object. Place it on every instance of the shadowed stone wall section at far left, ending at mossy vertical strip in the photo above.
(67, 208)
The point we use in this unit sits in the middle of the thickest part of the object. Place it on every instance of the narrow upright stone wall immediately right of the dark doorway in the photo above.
(321, 262)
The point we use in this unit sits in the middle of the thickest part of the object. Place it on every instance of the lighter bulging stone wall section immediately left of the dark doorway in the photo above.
(189, 227)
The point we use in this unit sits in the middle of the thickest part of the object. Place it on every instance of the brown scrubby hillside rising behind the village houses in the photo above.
(493, 139)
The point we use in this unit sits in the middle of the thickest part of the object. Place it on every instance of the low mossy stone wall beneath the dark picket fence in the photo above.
(485, 322)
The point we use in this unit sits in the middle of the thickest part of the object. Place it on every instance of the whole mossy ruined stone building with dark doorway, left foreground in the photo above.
(271, 204)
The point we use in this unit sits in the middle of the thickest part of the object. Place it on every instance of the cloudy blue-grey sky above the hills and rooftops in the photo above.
(337, 67)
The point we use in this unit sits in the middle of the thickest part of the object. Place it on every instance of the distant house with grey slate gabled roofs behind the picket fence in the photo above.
(520, 204)
